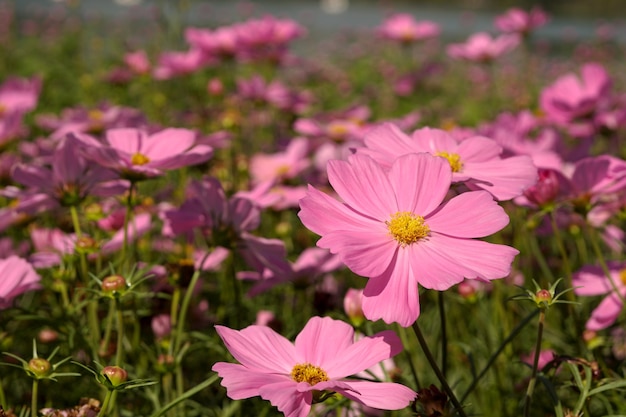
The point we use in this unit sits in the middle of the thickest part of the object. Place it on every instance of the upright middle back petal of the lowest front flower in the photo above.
(321, 339)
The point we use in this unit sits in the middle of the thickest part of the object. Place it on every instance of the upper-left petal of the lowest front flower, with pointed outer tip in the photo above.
(259, 348)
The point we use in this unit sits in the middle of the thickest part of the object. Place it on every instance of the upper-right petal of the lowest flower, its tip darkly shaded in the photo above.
(363, 354)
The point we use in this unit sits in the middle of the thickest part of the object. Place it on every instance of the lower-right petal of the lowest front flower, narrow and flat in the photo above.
(381, 395)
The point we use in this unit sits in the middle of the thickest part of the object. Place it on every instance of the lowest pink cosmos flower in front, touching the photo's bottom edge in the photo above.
(324, 355)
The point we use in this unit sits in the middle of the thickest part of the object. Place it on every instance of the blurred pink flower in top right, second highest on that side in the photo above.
(481, 47)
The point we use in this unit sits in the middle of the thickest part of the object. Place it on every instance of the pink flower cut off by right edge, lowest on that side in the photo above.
(591, 280)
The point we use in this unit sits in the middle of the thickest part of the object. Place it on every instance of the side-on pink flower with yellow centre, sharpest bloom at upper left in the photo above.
(136, 155)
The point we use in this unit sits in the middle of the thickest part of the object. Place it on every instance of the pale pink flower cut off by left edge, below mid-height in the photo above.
(18, 276)
